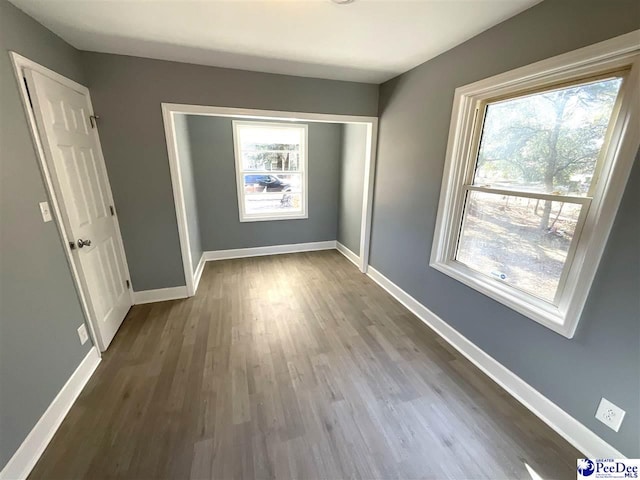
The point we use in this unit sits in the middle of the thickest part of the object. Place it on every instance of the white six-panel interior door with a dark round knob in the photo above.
(79, 176)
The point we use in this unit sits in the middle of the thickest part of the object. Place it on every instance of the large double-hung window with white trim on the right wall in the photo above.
(535, 170)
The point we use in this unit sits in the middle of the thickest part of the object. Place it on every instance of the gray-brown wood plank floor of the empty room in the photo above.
(294, 366)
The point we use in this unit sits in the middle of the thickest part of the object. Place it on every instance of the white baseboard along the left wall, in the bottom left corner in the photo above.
(25, 458)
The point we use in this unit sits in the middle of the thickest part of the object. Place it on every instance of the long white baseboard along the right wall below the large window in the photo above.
(564, 424)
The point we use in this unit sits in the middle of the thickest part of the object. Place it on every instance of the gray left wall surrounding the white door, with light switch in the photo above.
(39, 307)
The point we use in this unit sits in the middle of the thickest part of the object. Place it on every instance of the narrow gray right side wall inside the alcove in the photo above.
(354, 150)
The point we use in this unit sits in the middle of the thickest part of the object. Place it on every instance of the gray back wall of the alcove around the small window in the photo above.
(214, 169)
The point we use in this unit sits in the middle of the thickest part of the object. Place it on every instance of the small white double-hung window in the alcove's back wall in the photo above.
(271, 170)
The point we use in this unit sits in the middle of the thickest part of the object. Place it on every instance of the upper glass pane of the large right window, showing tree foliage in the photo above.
(547, 142)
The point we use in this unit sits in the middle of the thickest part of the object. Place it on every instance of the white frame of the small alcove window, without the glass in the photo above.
(304, 152)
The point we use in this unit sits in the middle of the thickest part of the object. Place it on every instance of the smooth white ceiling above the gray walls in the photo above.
(367, 41)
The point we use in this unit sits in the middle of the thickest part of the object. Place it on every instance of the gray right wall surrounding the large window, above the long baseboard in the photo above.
(603, 358)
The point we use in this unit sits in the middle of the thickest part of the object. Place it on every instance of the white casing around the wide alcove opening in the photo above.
(171, 109)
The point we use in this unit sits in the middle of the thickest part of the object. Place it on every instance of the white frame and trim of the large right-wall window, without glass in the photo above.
(618, 155)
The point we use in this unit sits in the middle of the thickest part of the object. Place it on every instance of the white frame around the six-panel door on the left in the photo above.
(19, 64)
